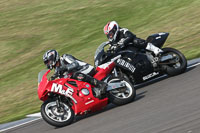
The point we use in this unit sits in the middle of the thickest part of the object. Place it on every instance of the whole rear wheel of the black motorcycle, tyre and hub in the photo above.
(177, 65)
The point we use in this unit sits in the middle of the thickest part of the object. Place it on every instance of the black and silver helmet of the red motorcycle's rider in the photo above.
(50, 58)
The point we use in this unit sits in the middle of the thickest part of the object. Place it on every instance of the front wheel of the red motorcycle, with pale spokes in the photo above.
(57, 116)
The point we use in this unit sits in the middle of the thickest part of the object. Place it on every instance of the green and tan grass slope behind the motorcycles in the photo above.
(29, 28)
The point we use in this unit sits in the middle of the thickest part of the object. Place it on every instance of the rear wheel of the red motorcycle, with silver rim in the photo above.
(119, 97)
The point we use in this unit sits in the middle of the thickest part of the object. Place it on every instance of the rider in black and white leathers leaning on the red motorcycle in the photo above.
(80, 70)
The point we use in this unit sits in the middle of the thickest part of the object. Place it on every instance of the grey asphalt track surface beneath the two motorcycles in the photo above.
(167, 105)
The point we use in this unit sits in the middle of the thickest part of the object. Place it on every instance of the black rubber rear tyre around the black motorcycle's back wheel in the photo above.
(179, 67)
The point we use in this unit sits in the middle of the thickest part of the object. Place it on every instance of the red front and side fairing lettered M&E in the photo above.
(81, 103)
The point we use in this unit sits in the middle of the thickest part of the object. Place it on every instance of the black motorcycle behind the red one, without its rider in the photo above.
(140, 65)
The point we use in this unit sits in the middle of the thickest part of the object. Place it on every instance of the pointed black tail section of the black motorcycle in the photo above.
(158, 39)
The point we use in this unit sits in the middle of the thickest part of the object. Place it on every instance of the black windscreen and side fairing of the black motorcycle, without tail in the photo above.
(132, 55)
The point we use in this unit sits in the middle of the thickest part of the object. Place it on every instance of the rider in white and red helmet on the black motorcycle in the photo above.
(122, 37)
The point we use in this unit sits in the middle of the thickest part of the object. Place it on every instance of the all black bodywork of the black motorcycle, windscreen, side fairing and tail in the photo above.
(136, 57)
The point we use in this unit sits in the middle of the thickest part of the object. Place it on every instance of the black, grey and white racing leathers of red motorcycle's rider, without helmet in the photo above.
(80, 71)
